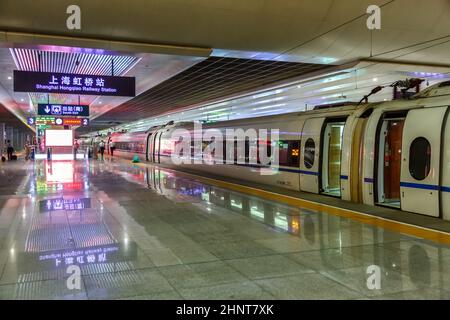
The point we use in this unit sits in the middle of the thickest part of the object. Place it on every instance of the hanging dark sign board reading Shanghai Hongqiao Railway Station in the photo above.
(51, 82)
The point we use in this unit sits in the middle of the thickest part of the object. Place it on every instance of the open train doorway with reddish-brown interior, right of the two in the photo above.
(389, 162)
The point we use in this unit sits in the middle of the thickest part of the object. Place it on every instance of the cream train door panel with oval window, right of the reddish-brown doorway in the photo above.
(421, 153)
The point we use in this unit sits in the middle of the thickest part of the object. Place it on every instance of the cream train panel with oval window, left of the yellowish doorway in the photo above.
(310, 151)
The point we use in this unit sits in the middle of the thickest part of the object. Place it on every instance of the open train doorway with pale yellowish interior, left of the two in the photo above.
(331, 158)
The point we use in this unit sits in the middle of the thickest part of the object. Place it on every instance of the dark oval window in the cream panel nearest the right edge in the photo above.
(420, 158)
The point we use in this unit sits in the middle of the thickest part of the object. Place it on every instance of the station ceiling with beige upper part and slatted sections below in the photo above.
(163, 41)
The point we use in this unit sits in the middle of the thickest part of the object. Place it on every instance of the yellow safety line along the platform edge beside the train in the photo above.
(388, 224)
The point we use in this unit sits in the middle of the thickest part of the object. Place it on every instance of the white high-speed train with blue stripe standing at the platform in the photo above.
(393, 153)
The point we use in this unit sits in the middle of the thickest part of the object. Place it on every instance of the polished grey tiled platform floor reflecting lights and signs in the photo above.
(143, 232)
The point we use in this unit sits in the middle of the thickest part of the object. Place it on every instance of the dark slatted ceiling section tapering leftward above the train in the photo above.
(210, 79)
